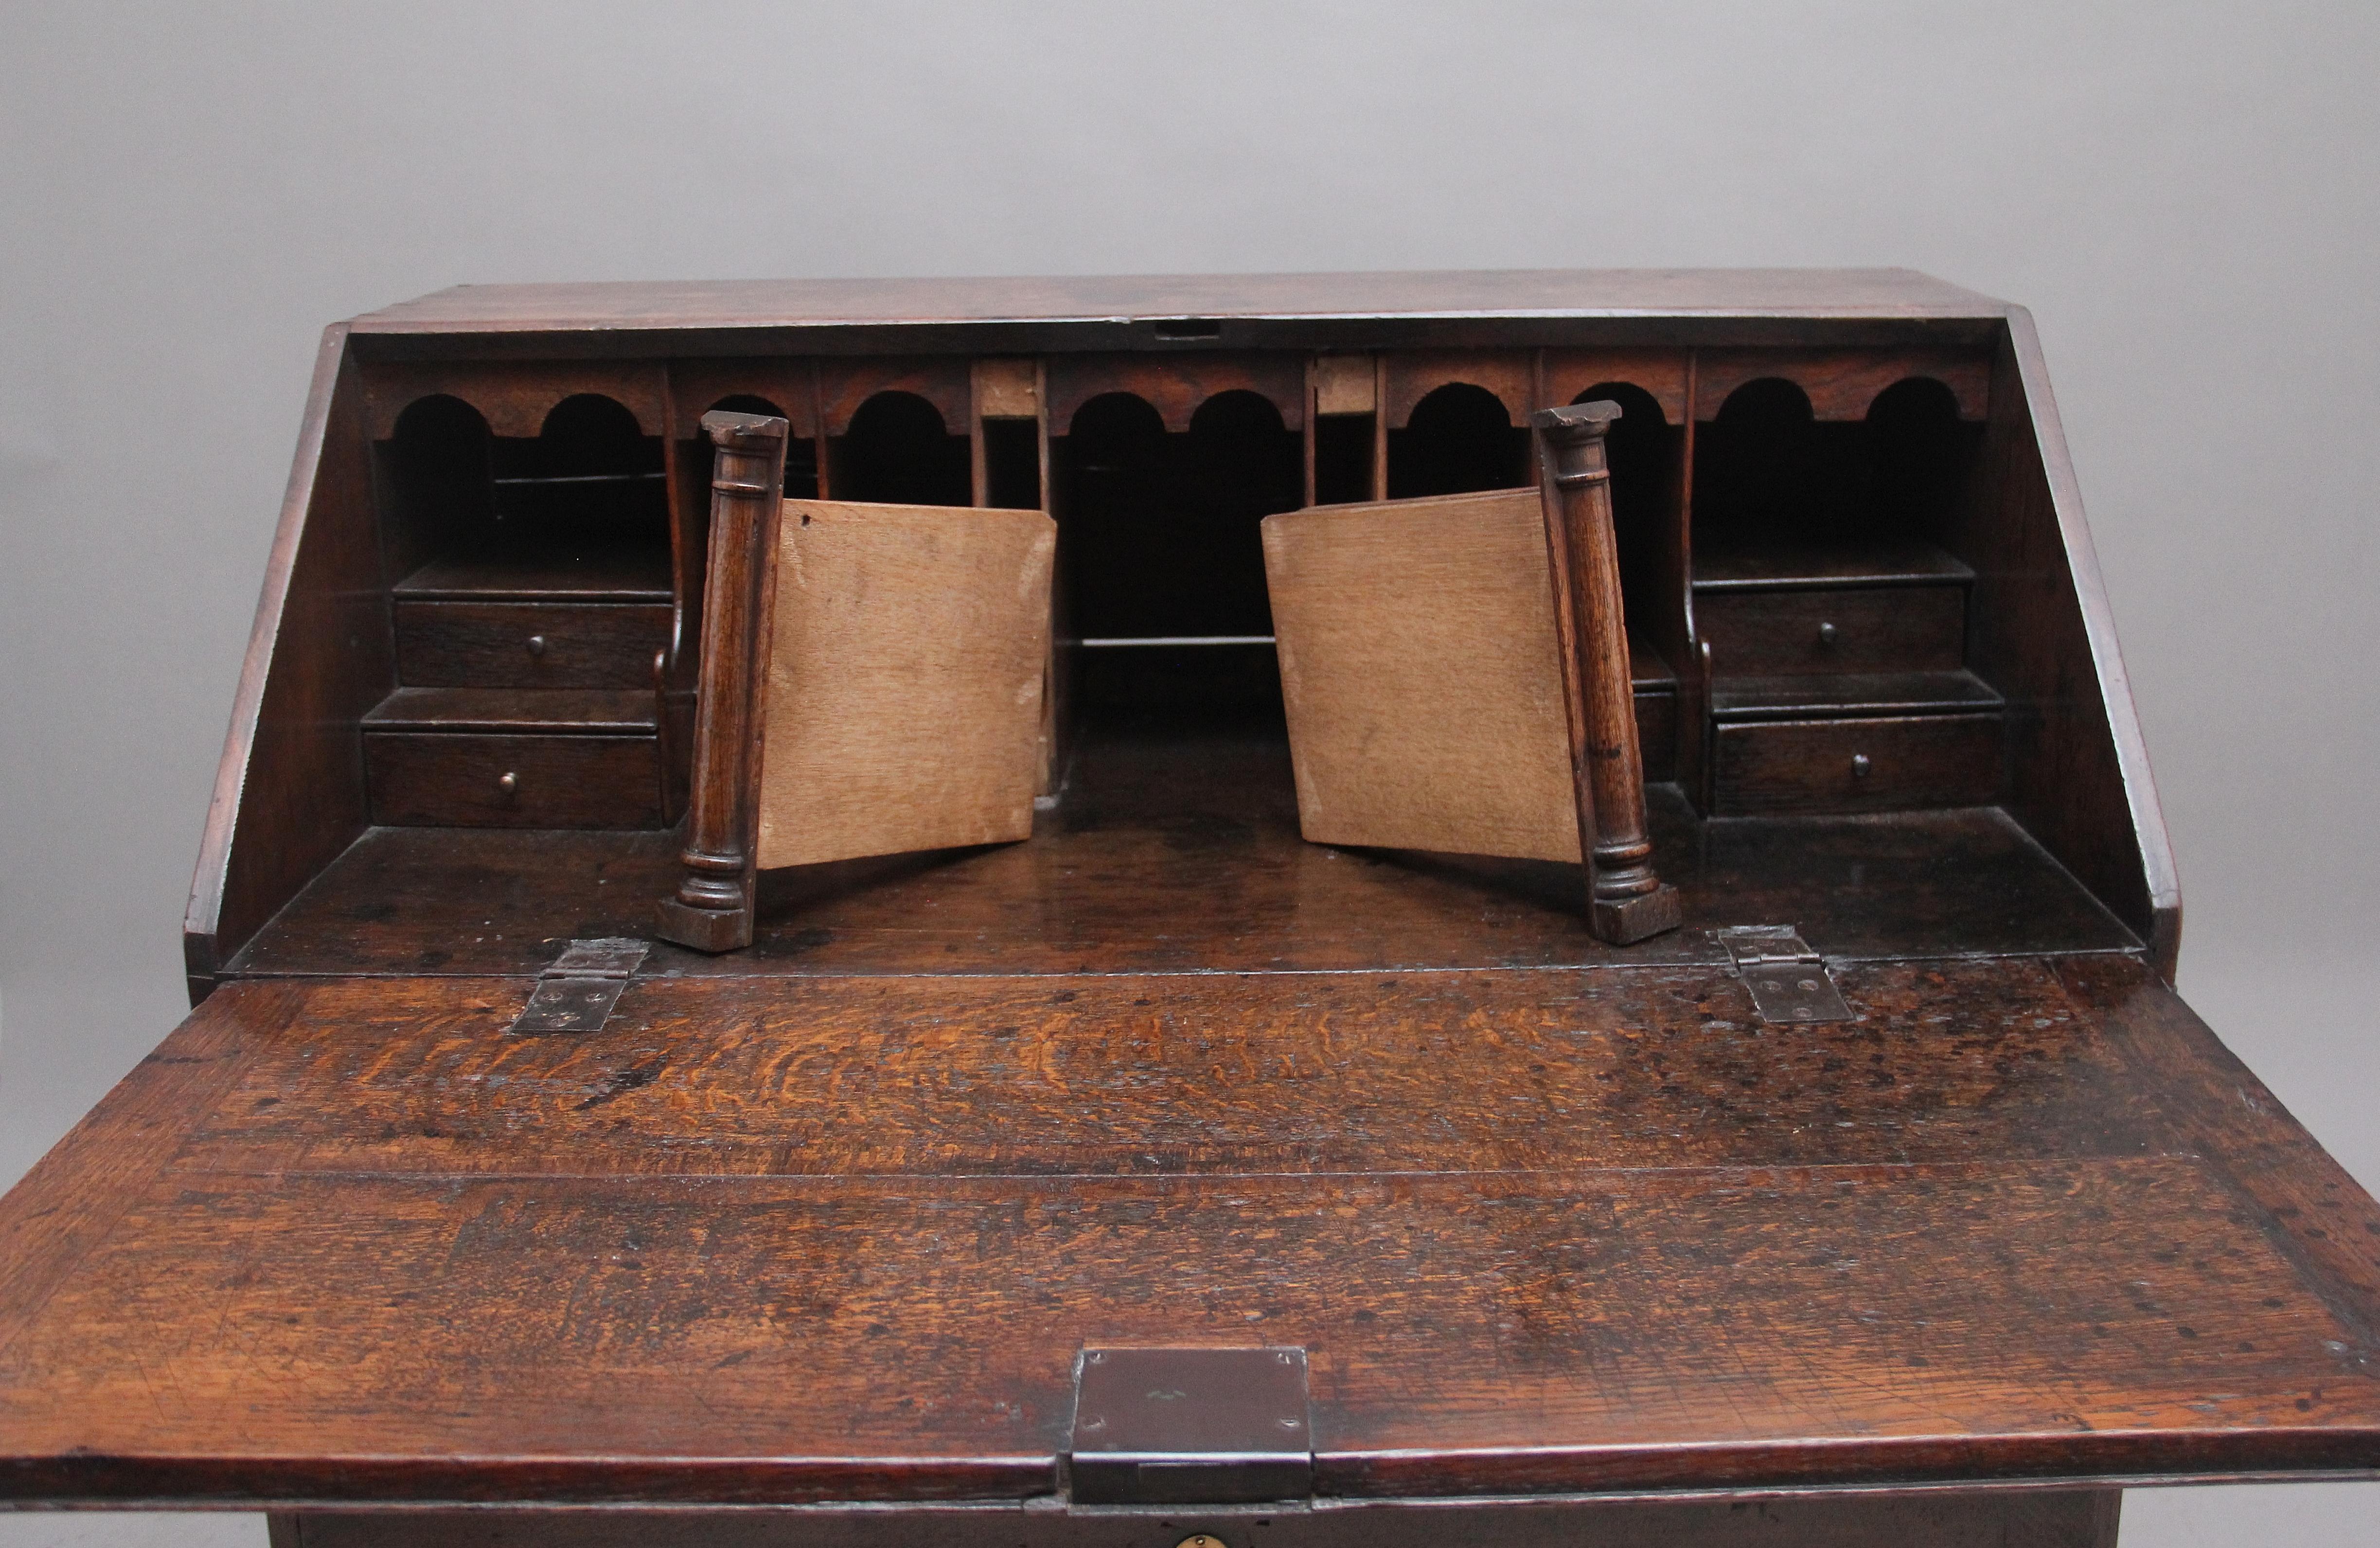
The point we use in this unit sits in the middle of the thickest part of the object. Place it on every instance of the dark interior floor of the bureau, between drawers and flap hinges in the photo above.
(1184, 856)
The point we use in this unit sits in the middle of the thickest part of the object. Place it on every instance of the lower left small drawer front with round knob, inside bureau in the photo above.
(558, 782)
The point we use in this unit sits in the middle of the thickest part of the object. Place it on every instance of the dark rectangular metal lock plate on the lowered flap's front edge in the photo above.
(1191, 1428)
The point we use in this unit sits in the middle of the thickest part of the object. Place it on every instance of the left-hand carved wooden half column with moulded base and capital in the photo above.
(713, 906)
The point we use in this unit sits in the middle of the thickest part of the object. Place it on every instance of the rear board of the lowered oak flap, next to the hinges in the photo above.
(1184, 1075)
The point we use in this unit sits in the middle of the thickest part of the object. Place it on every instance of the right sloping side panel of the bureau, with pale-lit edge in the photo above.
(2079, 768)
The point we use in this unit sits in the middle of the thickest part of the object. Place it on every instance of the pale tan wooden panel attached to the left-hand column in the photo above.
(903, 680)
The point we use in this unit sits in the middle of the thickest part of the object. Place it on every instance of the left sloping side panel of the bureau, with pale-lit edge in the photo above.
(289, 792)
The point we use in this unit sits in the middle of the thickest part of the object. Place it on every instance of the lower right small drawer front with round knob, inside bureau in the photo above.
(1812, 766)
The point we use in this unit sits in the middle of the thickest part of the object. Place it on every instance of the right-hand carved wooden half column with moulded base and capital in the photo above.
(1627, 901)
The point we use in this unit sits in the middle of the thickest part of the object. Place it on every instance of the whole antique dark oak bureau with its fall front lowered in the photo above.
(1172, 1161)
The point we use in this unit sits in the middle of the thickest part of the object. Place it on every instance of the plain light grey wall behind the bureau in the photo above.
(2184, 194)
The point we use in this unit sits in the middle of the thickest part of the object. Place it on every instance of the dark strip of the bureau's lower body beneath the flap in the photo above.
(1817, 1521)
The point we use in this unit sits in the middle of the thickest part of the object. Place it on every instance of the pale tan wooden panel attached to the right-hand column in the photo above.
(1417, 658)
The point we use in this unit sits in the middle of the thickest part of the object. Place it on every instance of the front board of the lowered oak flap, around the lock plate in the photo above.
(596, 1337)
